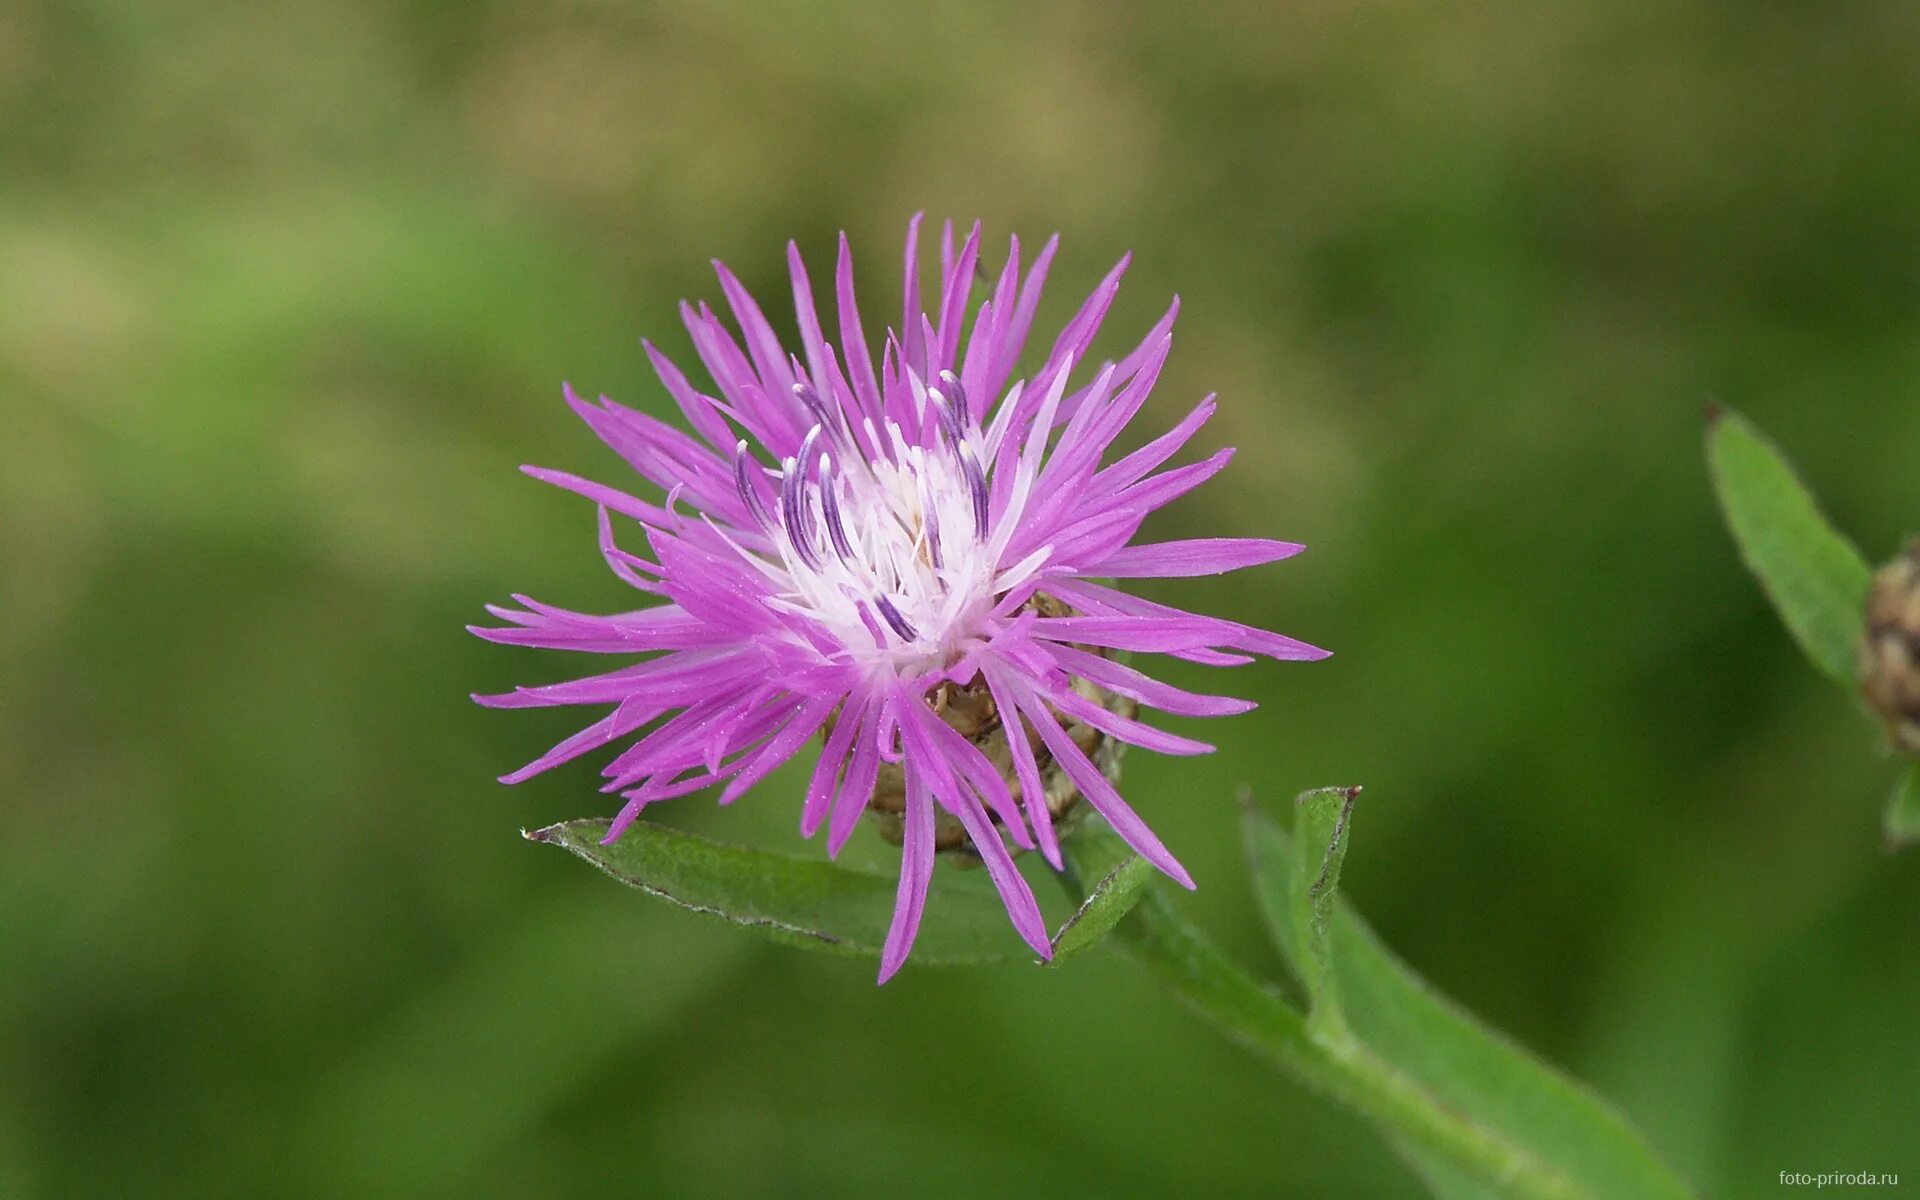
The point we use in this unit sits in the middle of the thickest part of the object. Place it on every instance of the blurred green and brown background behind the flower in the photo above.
(287, 295)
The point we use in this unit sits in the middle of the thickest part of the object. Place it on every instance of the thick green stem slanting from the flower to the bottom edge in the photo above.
(1328, 1059)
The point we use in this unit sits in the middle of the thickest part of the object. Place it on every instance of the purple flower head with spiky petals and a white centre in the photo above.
(848, 544)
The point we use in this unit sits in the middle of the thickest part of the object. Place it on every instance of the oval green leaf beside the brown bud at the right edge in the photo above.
(1812, 573)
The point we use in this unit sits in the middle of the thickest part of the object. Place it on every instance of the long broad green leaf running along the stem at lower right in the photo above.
(1435, 1047)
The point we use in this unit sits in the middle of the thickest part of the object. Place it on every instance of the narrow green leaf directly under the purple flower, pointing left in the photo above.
(798, 901)
